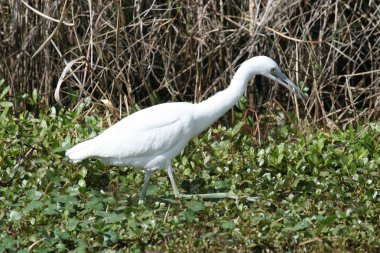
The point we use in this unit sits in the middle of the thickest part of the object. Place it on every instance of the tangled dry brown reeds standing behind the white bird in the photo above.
(124, 53)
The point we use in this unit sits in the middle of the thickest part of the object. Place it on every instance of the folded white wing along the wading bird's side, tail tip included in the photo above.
(149, 132)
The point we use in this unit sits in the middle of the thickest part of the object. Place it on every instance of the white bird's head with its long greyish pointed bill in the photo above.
(267, 67)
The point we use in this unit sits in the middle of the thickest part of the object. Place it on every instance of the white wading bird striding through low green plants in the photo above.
(151, 138)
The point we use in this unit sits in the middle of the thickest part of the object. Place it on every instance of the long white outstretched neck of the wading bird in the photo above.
(208, 111)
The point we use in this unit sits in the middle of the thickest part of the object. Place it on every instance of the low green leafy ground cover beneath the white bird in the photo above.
(317, 192)
